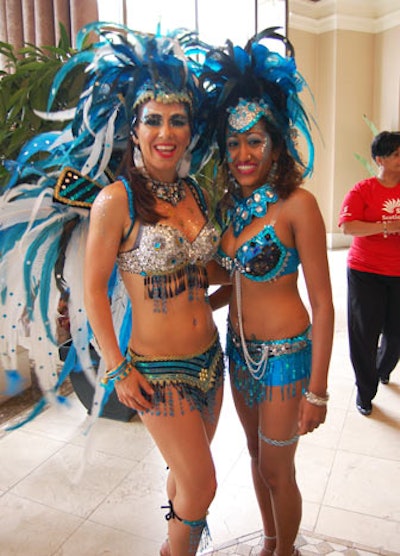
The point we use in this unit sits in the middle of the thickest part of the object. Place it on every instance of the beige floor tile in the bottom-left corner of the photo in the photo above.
(27, 527)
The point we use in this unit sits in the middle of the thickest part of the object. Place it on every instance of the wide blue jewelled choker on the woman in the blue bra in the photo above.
(255, 205)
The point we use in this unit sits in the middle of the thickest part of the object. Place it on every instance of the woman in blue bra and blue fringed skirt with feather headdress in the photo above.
(270, 226)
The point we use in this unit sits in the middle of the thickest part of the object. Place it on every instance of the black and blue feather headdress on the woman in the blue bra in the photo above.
(258, 76)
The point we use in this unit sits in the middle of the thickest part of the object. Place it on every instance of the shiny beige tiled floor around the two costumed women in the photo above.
(348, 471)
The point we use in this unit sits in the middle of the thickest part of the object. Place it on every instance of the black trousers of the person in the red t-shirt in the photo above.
(373, 310)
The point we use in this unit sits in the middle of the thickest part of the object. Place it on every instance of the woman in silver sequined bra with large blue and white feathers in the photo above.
(135, 137)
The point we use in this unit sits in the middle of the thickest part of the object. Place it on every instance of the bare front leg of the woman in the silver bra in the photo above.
(184, 441)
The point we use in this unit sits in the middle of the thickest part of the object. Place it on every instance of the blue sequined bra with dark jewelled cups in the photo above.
(263, 258)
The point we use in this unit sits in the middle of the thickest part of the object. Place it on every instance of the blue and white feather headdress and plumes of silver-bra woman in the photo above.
(44, 208)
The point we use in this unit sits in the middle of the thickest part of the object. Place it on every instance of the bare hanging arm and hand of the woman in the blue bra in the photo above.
(310, 238)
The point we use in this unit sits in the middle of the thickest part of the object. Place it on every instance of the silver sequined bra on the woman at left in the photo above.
(162, 249)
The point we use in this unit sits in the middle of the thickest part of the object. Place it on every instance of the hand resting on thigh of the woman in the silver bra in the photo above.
(131, 390)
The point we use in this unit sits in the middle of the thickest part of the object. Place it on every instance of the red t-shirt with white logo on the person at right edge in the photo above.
(370, 201)
